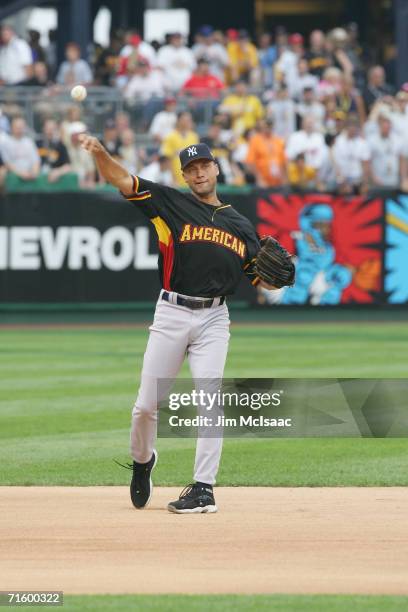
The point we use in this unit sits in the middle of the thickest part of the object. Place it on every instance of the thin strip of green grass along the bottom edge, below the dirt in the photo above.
(232, 603)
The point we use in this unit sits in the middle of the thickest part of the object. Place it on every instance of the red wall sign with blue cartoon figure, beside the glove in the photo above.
(335, 238)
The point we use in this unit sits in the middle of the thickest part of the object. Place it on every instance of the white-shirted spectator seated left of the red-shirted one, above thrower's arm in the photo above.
(144, 83)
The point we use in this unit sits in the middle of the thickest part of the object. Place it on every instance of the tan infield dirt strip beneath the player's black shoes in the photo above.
(262, 540)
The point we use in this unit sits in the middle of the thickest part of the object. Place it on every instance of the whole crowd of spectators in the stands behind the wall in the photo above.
(283, 112)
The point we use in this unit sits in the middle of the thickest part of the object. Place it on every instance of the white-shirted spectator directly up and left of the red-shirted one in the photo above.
(177, 62)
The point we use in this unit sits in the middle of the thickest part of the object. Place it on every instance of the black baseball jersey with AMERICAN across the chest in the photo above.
(203, 249)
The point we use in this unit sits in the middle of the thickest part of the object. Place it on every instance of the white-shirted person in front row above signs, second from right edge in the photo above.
(351, 156)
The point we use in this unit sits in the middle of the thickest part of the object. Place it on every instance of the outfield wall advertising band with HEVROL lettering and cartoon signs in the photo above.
(85, 247)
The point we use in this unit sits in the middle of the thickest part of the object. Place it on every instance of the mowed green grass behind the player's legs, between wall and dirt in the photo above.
(66, 397)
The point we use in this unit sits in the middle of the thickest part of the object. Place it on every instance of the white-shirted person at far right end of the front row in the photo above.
(386, 149)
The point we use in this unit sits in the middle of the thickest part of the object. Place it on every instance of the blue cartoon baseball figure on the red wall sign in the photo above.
(319, 279)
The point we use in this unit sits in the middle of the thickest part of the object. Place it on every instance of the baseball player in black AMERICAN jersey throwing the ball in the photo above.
(205, 245)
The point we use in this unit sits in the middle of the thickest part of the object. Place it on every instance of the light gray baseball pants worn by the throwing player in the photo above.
(178, 331)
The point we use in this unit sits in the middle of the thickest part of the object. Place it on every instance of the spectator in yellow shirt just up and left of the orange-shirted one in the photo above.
(244, 108)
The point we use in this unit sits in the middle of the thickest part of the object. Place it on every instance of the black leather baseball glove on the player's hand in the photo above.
(274, 264)
